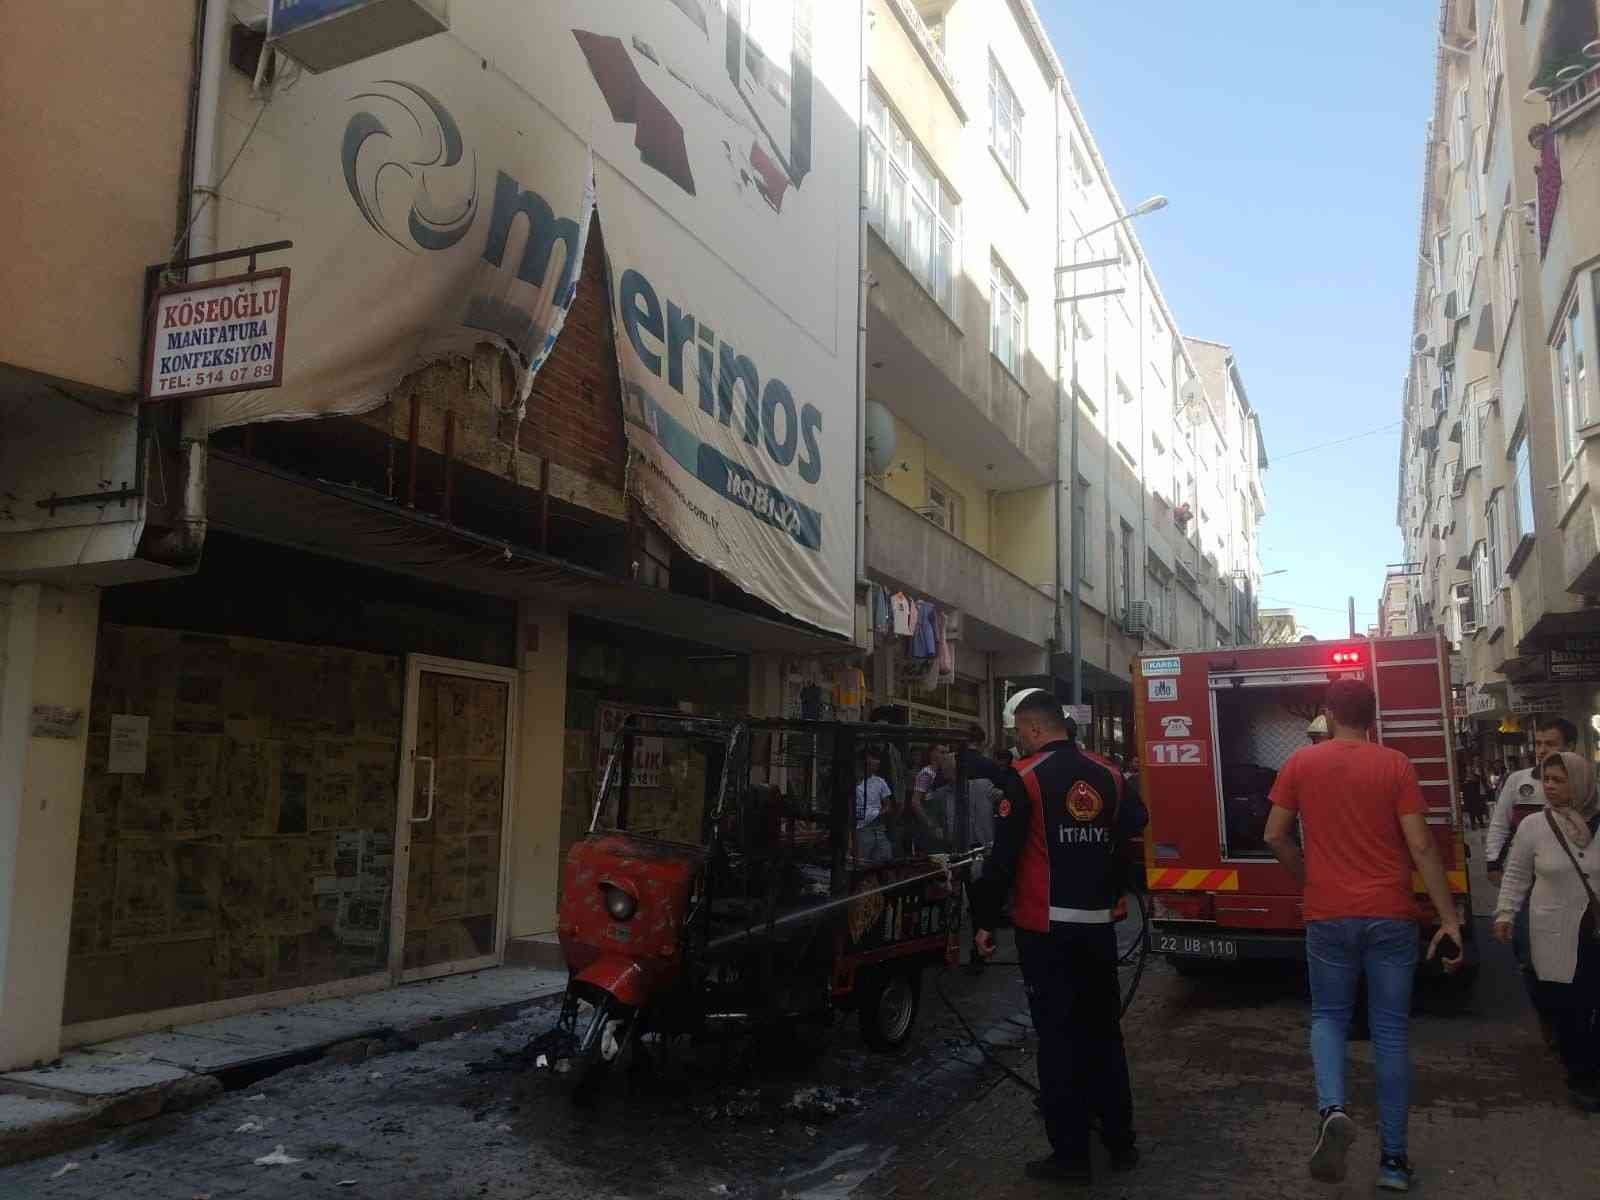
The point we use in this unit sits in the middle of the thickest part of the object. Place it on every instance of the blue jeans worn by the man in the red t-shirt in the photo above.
(1337, 953)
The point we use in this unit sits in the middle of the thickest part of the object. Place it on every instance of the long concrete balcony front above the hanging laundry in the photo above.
(910, 551)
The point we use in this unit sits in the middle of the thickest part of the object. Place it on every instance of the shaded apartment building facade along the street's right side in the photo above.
(1495, 508)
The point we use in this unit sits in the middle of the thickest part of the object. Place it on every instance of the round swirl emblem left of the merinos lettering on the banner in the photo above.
(422, 142)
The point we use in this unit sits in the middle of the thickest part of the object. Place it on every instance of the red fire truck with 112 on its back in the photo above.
(1215, 727)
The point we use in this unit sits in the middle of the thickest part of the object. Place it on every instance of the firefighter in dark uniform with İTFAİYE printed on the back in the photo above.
(1060, 836)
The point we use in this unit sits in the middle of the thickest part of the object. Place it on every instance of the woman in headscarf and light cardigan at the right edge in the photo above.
(1556, 855)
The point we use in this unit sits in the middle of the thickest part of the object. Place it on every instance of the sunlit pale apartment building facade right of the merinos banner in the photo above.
(975, 377)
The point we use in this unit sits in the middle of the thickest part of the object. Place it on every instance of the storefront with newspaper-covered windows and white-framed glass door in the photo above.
(300, 778)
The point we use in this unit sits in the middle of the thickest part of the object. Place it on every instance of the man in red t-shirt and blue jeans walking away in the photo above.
(1361, 812)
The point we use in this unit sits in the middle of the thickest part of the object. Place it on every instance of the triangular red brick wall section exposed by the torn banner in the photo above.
(575, 414)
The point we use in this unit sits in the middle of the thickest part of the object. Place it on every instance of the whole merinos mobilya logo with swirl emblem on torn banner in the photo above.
(404, 129)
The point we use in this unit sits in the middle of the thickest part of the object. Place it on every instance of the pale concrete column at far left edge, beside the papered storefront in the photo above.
(49, 663)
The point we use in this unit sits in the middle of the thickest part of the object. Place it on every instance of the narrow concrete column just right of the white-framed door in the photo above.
(542, 772)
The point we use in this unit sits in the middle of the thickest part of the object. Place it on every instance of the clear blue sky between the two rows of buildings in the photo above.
(1292, 148)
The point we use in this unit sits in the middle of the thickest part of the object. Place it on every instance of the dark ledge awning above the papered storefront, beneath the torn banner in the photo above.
(255, 500)
